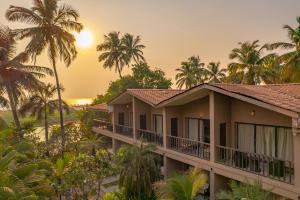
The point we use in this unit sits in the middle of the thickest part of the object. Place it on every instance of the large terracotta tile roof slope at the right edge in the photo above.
(285, 96)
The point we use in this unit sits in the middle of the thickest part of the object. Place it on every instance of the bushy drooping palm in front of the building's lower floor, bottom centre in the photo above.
(140, 169)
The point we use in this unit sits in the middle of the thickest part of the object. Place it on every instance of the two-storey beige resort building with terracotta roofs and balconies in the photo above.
(232, 132)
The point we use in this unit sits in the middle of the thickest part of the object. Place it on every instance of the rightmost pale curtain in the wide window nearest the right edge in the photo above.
(285, 144)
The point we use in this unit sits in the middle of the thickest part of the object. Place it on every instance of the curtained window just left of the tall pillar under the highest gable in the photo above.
(198, 129)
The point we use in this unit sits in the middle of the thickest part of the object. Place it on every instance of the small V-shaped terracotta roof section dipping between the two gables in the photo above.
(154, 96)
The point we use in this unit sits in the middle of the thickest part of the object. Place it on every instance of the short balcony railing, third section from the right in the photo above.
(149, 136)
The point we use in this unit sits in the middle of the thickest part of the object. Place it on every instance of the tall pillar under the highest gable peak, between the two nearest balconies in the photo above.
(212, 125)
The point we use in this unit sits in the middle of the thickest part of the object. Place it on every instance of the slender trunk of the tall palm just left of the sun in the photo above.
(62, 128)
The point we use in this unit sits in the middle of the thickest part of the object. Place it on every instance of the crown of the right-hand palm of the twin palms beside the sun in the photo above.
(133, 48)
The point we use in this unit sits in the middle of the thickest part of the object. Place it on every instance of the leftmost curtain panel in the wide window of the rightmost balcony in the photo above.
(246, 137)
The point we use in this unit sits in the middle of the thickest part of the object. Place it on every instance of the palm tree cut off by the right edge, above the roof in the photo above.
(291, 59)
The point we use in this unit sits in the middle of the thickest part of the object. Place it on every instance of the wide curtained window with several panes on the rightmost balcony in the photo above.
(273, 141)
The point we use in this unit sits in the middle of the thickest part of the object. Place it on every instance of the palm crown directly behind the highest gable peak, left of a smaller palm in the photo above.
(190, 73)
